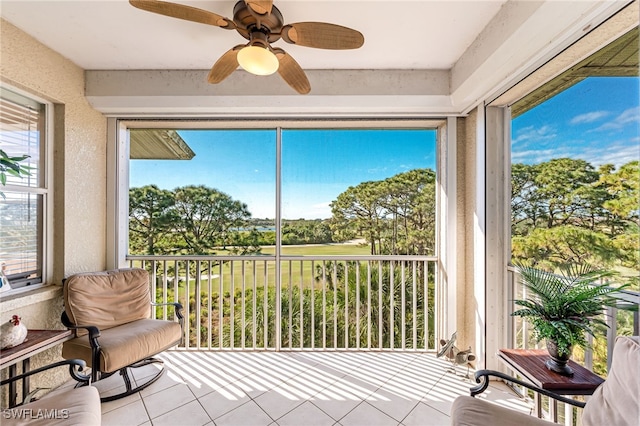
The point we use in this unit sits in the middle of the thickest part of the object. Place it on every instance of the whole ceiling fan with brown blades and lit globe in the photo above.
(260, 22)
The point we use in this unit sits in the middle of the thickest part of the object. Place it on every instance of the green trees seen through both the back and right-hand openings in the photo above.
(562, 211)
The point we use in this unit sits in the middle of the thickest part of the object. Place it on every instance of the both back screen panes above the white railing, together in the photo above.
(214, 191)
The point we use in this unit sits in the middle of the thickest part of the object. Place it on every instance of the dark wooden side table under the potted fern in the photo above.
(529, 363)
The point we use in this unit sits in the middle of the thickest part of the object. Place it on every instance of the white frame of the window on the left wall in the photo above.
(43, 189)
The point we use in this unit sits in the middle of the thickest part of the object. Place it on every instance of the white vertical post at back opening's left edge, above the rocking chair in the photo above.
(117, 193)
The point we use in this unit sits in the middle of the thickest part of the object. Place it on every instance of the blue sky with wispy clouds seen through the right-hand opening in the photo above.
(597, 120)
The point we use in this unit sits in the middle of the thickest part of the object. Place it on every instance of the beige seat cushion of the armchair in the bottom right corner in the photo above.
(468, 411)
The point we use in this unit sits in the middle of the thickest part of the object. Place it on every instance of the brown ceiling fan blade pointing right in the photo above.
(322, 35)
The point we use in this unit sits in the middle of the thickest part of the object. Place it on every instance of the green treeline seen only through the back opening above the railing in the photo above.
(394, 216)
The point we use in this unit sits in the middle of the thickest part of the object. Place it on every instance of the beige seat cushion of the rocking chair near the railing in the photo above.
(126, 344)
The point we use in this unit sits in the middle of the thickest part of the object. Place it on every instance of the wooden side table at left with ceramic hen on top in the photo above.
(36, 342)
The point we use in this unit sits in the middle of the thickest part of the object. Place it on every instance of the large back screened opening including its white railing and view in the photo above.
(312, 235)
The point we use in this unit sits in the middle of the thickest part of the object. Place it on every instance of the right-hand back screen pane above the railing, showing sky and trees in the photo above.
(366, 191)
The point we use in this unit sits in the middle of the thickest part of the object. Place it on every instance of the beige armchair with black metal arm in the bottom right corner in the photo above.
(615, 402)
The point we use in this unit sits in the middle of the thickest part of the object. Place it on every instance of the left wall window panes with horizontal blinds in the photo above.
(22, 209)
